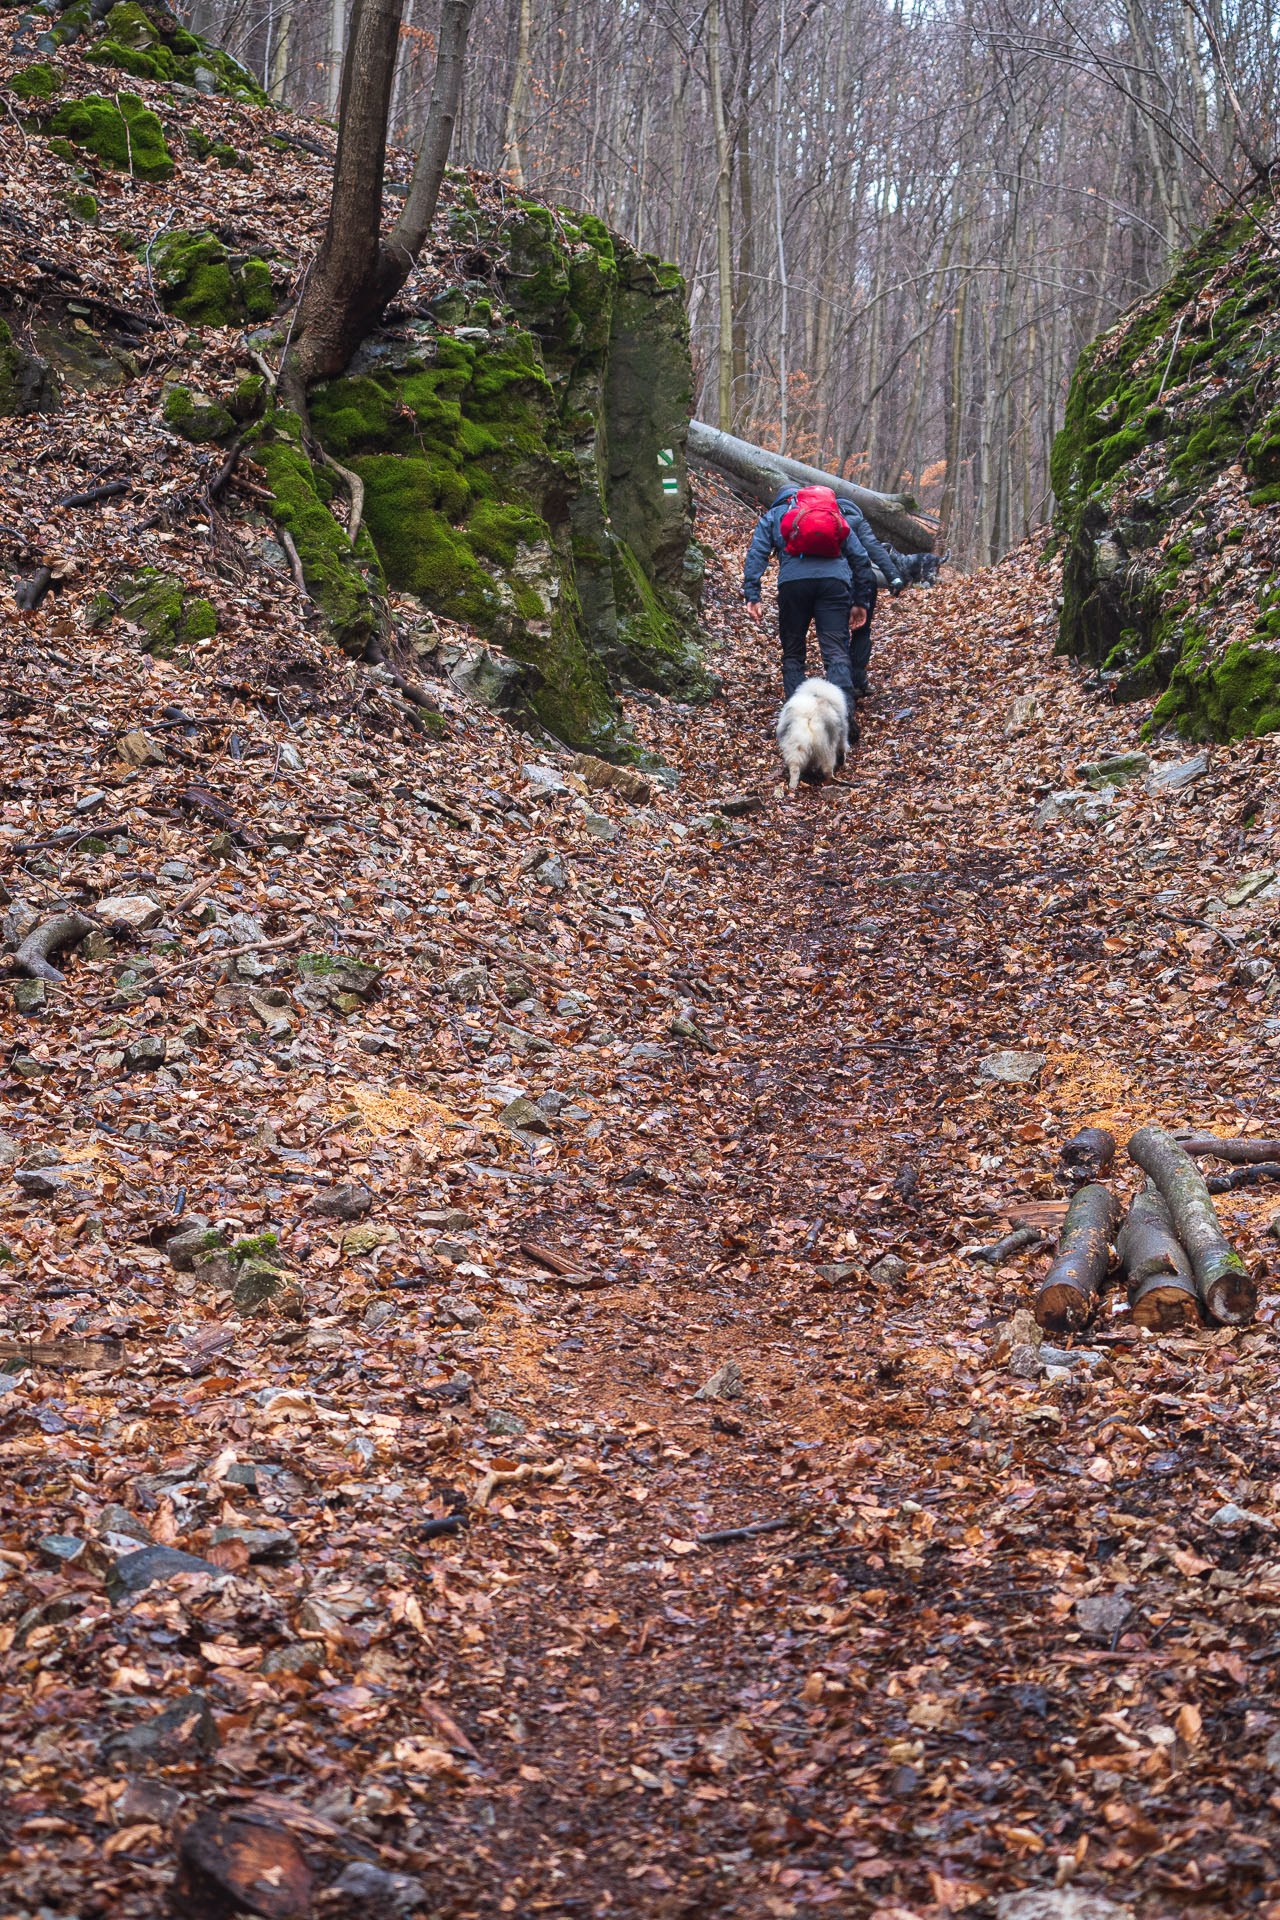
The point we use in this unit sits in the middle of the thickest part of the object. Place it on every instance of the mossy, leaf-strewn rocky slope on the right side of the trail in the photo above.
(1168, 479)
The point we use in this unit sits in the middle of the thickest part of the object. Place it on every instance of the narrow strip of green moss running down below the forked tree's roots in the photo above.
(344, 583)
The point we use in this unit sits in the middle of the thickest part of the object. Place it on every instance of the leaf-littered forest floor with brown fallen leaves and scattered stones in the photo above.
(1016, 1625)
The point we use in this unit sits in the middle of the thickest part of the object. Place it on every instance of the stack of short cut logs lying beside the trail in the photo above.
(1170, 1245)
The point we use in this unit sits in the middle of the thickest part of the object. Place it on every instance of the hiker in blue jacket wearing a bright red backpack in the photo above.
(824, 575)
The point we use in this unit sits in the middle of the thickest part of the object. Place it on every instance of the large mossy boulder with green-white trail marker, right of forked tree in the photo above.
(511, 466)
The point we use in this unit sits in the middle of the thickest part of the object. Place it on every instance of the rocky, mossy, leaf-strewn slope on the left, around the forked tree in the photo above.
(513, 425)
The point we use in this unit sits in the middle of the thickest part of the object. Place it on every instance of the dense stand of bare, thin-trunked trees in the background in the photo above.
(899, 222)
